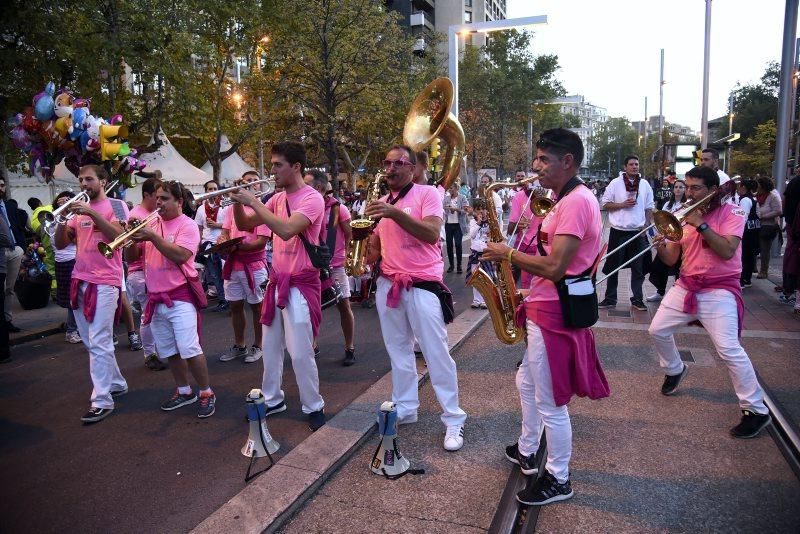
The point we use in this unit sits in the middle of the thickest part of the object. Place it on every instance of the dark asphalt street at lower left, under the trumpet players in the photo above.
(144, 470)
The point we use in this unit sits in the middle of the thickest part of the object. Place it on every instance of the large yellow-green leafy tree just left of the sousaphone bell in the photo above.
(348, 64)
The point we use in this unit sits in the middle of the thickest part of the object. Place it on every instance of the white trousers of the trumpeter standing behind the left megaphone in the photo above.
(291, 330)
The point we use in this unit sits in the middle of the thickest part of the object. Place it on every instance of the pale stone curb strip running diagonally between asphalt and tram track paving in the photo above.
(271, 499)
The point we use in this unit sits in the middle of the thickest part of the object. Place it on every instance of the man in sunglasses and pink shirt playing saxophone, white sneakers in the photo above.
(410, 292)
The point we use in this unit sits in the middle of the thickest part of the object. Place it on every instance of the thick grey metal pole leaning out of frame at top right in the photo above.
(784, 104)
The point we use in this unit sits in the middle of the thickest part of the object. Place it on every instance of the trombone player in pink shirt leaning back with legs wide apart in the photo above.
(708, 290)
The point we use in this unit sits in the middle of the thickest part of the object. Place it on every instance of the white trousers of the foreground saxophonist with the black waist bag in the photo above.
(535, 387)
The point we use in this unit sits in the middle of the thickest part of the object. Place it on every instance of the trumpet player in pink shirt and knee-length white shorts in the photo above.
(172, 309)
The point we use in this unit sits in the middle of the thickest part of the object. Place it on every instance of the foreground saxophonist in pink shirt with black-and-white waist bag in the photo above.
(561, 359)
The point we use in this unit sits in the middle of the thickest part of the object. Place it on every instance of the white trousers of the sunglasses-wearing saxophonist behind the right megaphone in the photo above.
(418, 314)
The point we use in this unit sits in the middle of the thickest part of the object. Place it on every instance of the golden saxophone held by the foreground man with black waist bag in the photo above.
(499, 291)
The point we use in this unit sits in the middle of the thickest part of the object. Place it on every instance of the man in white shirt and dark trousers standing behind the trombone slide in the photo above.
(628, 199)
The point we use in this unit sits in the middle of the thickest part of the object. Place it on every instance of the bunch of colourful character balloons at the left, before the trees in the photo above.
(59, 126)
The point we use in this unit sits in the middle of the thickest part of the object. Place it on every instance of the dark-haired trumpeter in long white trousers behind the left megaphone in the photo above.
(292, 309)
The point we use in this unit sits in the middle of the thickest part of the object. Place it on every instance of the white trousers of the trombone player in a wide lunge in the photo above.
(716, 309)
